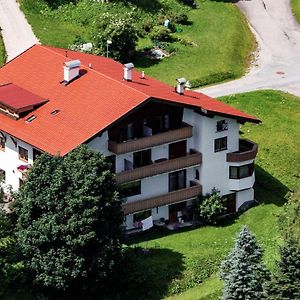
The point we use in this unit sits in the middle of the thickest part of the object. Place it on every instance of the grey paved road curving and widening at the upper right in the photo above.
(278, 61)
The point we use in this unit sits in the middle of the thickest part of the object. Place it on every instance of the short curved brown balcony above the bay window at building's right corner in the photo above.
(247, 151)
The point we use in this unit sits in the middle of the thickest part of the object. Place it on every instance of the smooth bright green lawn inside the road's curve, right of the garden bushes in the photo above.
(224, 43)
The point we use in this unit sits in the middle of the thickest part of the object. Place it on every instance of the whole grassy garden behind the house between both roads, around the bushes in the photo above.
(222, 41)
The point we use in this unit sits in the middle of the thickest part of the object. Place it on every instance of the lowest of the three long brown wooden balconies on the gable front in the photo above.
(172, 197)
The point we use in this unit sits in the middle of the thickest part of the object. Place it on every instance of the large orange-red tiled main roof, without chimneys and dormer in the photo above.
(89, 104)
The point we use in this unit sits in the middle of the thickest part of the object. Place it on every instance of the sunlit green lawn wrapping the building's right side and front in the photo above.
(194, 256)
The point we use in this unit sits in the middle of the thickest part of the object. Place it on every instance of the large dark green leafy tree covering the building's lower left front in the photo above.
(69, 221)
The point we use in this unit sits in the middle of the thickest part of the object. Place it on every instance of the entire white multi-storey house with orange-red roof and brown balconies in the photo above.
(167, 146)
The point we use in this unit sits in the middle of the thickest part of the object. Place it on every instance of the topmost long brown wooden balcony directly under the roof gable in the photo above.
(150, 141)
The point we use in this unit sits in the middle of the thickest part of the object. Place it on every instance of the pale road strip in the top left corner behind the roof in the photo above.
(16, 31)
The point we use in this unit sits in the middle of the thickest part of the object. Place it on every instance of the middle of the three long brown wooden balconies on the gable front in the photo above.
(160, 167)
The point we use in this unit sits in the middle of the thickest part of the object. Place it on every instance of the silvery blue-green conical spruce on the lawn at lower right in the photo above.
(243, 271)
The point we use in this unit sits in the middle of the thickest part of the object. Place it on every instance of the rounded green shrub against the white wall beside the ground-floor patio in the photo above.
(212, 206)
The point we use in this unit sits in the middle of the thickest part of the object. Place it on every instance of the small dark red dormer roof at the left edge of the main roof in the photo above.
(18, 99)
